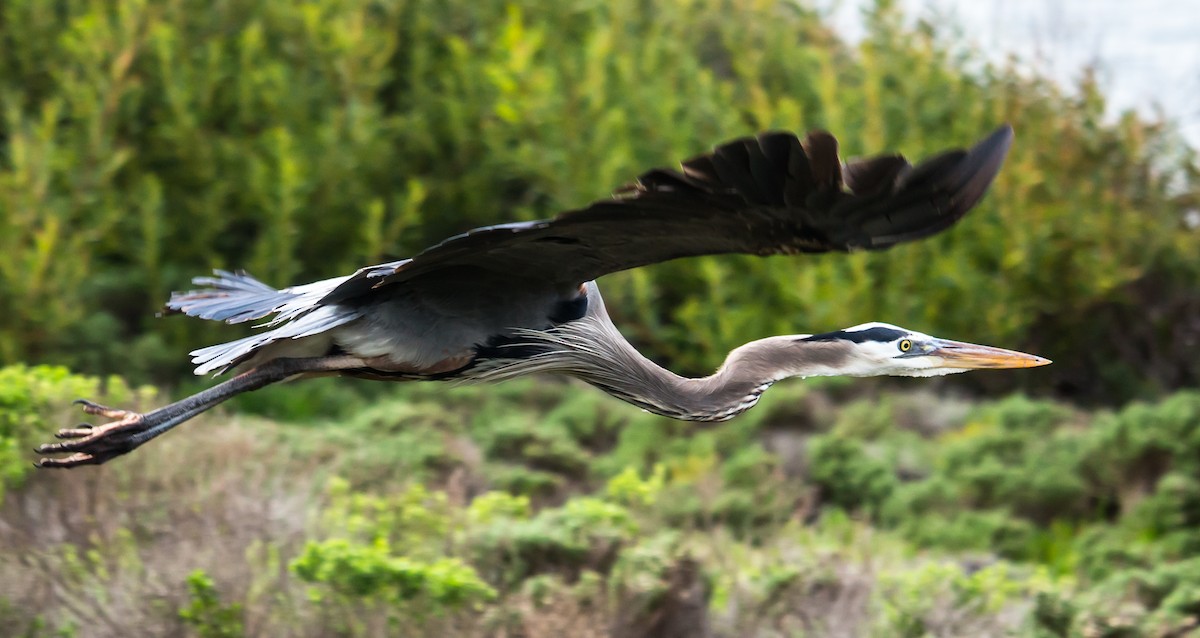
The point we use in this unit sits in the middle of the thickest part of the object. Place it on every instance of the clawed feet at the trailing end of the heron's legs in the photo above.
(93, 446)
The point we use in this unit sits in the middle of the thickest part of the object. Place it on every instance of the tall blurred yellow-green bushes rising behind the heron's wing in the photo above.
(152, 143)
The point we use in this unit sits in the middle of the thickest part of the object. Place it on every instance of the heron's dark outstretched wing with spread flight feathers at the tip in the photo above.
(770, 195)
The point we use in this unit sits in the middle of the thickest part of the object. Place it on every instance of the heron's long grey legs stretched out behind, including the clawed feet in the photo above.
(94, 446)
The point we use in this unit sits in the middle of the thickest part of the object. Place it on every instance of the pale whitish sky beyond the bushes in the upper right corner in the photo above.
(1148, 52)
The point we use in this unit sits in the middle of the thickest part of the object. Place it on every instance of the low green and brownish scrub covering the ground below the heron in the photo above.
(922, 516)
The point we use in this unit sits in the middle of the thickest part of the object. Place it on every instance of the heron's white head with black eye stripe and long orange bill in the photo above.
(883, 350)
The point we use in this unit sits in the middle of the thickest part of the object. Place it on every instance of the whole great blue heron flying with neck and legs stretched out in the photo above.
(517, 299)
